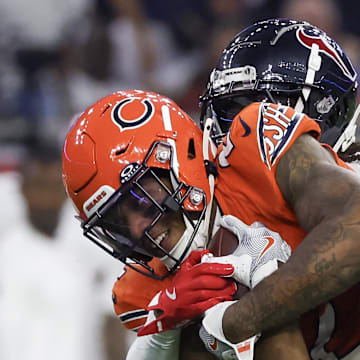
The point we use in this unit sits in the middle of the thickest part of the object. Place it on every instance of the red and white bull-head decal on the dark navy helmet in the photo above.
(325, 47)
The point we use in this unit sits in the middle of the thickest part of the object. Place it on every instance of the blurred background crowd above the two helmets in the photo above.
(58, 57)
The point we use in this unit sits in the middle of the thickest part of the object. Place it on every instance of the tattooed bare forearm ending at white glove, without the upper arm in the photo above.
(324, 265)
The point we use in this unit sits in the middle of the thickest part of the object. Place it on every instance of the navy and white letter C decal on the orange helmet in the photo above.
(124, 122)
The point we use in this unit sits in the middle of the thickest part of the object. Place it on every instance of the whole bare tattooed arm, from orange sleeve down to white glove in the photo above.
(326, 200)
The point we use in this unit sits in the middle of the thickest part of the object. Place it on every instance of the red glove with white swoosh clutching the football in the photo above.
(195, 288)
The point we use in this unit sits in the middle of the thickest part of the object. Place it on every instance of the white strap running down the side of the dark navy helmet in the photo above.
(314, 64)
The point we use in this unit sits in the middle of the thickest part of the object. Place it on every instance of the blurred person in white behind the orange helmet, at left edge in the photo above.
(55, 288)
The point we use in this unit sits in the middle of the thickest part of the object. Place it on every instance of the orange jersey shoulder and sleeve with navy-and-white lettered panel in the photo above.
(246, 186)
